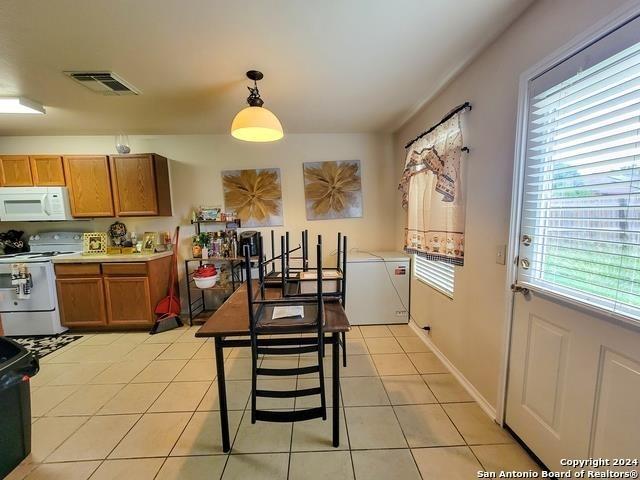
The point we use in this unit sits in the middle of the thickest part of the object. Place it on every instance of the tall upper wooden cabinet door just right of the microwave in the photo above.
(89, 185)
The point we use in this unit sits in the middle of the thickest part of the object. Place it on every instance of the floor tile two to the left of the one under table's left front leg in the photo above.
(95, 439)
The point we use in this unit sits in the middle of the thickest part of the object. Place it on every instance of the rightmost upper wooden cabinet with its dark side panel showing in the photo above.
(140, 185)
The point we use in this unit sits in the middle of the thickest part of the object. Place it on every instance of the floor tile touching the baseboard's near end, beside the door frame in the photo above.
(475, 426)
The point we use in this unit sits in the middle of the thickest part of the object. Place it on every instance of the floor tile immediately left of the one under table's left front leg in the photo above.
(155, 434)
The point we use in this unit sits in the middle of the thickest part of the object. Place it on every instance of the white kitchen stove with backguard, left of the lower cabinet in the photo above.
(35, 312)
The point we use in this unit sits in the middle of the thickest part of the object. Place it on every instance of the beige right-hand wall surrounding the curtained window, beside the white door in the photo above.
(469, 328)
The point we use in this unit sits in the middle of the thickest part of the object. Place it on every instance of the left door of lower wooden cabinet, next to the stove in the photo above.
(82, 302)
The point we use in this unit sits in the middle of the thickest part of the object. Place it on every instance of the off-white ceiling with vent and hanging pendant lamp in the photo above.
(329, 65)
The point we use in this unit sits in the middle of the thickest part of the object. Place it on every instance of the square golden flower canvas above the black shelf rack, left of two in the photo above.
(255, 195)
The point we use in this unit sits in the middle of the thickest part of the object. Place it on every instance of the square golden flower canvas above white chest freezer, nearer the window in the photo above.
(332, 190)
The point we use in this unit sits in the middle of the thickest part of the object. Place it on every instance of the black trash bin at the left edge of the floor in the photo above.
(17, 365)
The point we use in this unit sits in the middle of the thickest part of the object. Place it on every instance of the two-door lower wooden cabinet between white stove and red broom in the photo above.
(114, 296)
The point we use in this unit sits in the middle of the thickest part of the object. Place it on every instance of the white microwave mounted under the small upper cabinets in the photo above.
(29, 204)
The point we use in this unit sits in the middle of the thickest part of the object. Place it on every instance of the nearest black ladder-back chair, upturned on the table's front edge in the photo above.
(262, 324)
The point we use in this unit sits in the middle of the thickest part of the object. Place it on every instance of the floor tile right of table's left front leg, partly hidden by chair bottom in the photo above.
(262, 437)
